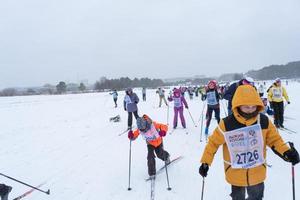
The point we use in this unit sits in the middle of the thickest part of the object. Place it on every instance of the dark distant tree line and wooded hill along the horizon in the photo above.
(288, 71)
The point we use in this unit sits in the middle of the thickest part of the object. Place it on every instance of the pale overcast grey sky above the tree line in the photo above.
(45, 41)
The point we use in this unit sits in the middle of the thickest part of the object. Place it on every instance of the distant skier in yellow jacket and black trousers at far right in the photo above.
(275, 95)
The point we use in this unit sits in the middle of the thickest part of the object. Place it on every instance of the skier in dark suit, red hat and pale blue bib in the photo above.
(213, 103)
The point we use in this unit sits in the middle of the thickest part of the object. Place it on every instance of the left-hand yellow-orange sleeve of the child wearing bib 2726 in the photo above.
(214, 141)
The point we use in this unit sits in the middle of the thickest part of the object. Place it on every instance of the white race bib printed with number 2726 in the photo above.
(245, 147)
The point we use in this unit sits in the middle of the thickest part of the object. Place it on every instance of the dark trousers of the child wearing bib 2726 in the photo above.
(255, 192)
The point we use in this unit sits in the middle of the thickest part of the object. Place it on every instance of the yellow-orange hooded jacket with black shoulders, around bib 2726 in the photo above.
(244, 95)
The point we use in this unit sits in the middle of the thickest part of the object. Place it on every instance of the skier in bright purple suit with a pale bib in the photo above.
(179, 101)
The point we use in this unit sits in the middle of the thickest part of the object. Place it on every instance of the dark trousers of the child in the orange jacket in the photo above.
(160, 153)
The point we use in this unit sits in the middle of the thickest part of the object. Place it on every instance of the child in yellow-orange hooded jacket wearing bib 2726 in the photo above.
(244, 136)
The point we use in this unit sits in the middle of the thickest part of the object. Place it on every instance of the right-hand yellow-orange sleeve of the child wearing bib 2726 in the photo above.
(274, 140)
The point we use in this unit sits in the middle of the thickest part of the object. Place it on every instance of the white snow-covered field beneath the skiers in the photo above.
(68, 142)
